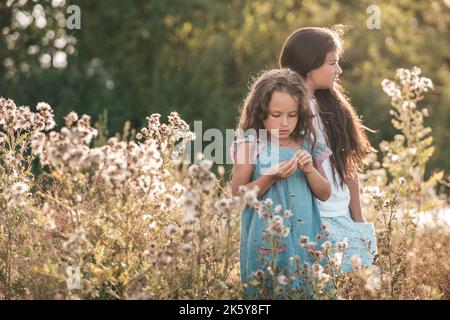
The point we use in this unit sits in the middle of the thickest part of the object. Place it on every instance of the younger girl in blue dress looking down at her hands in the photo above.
(277, 154)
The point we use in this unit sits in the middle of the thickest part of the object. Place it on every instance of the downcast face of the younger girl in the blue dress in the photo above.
(283, 115)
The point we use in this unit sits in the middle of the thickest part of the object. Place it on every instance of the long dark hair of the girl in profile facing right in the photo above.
(305, 50)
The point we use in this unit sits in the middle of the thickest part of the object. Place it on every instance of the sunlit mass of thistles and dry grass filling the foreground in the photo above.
(125, 218)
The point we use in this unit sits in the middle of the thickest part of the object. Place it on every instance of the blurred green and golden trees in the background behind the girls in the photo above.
(134, 58)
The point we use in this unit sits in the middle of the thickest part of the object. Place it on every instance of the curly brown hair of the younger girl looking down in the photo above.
(255, 108)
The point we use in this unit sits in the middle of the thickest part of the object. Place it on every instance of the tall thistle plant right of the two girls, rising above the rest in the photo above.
(400, 193)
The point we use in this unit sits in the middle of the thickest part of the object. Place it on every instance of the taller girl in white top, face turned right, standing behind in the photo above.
(314, 54)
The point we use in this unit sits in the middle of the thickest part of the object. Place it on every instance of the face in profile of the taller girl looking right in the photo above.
(326, 75)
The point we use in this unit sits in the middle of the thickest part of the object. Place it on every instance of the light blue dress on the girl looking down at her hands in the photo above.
(292, 194)
